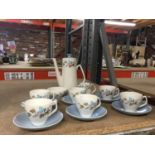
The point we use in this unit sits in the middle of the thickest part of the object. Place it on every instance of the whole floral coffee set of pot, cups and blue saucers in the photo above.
(84, 100)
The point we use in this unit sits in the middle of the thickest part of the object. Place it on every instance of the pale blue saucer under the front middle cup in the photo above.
(98, 113)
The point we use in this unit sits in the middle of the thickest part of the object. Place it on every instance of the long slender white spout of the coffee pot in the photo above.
(58, 74)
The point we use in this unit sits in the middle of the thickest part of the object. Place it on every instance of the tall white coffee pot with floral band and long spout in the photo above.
(68, 78)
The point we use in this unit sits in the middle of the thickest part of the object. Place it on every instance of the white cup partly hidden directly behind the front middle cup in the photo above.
(76, 91)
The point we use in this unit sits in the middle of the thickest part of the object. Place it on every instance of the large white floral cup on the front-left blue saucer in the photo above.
(39, 110)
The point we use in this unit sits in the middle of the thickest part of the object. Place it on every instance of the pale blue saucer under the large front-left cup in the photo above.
(21, 120)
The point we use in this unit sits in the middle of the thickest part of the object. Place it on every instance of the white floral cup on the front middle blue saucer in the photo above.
(86, 104)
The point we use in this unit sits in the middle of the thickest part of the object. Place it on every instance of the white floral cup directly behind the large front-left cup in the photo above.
(39, 93)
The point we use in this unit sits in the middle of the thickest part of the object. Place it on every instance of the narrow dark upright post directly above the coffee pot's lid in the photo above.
(68, 37)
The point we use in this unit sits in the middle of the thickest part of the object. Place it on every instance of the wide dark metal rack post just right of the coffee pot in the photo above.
(95, 51)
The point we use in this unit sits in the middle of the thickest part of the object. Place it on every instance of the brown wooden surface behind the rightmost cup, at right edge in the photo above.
(145, 86)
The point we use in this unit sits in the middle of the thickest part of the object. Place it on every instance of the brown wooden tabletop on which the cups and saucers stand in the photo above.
(12, 93)
